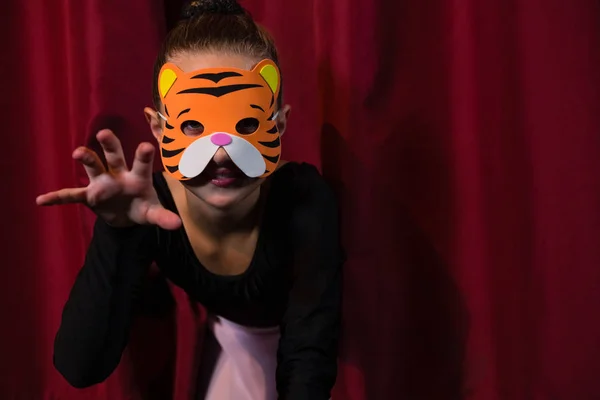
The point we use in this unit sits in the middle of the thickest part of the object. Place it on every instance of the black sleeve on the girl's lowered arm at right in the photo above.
(307, 355)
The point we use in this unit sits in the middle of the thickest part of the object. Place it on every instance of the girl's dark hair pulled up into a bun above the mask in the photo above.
(215, 25)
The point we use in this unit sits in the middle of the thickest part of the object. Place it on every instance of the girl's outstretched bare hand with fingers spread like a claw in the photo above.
(121, 196)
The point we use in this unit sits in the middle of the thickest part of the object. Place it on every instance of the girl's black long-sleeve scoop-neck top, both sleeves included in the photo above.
(294, 281)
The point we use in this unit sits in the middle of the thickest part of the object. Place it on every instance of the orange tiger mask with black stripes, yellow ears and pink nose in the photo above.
(229, 108)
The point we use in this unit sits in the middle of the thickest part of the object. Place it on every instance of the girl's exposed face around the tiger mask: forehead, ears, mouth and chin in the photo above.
(222, 184)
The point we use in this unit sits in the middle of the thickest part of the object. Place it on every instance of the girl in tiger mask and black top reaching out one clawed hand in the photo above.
(259, 250)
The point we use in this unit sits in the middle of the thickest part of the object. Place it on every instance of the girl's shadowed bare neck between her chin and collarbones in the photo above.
(218, 222)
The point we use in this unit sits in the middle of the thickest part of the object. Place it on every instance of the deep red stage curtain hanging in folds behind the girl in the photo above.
(462, 138)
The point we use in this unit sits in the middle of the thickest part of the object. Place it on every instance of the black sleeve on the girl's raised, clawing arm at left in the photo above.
(97, 316)
